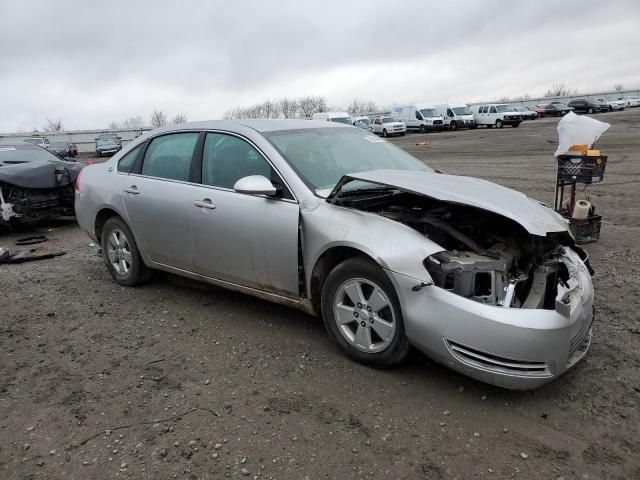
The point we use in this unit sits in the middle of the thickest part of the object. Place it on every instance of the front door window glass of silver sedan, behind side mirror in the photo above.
(226, 159)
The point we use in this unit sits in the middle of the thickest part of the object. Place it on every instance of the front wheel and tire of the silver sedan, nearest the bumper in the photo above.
(378, 340)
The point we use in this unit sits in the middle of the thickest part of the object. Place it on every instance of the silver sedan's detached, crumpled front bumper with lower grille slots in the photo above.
(514, 348)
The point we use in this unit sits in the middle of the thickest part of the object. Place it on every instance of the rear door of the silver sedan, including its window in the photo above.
(157, 198)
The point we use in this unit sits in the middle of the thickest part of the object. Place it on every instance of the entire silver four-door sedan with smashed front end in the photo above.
(331, 220)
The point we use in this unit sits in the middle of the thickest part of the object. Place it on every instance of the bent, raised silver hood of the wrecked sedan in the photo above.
(530, 214)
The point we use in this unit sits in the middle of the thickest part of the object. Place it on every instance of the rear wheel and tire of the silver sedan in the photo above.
(121, 254)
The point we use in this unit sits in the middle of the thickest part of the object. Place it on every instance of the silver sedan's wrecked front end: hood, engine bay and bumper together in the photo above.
(508, 298)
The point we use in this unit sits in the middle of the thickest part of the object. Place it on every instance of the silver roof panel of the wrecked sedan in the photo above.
(260, 125)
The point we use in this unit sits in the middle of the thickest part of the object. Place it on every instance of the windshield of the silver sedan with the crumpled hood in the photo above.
(321, 156)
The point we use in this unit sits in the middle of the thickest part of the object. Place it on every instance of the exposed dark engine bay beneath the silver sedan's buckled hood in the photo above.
(487, 258)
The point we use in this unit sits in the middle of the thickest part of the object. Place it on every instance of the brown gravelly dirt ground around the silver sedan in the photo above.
(181, 380)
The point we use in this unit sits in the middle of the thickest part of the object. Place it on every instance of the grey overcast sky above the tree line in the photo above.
(90, 63)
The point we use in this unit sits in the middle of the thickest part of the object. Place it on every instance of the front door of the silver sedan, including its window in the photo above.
(251, 240)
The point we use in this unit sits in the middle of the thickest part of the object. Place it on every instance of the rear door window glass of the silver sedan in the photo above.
(169, 156)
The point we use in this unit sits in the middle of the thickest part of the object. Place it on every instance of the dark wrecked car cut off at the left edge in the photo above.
(34, 183)
